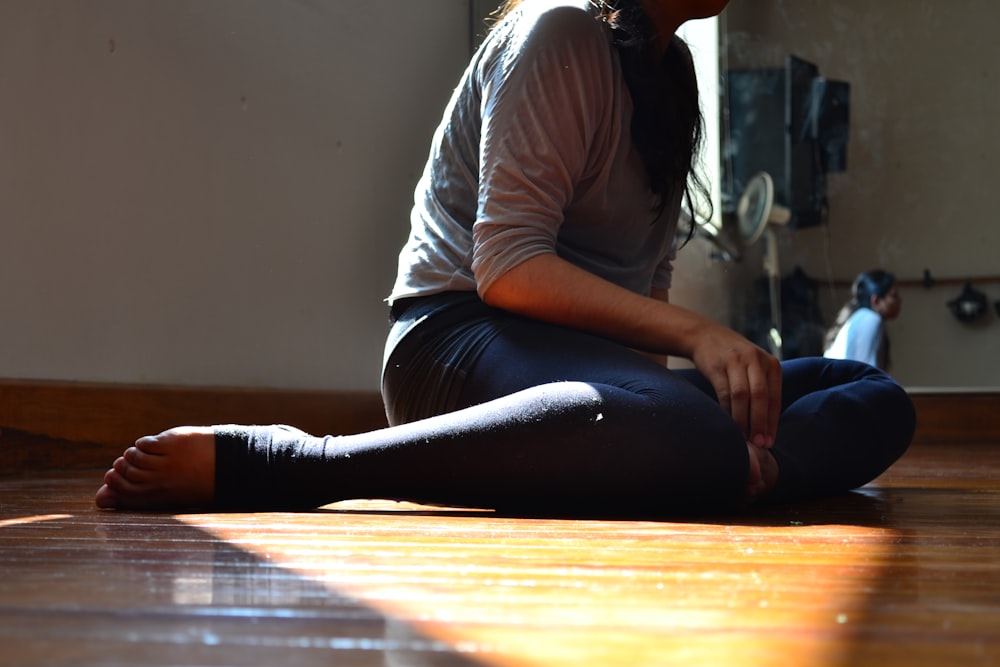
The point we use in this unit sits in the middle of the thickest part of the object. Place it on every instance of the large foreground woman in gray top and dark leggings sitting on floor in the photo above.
(525, 368)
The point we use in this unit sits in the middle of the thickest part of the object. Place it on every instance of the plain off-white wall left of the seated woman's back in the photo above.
(211, 193)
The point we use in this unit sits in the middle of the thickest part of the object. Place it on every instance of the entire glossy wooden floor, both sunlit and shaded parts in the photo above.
(906, 572)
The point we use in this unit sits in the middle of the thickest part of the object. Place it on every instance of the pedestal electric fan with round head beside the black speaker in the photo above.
(758, 215)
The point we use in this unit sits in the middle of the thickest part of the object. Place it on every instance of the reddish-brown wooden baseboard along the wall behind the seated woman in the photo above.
(38, 420)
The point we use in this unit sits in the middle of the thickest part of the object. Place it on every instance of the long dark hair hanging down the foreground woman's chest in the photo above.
(667, 123)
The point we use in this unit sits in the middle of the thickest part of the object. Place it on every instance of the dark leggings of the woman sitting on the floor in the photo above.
(493, 410)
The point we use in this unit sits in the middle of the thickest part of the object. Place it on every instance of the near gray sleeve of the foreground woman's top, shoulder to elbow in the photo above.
(545, 102)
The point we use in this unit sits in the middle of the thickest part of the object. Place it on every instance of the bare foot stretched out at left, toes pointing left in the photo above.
(172, 470)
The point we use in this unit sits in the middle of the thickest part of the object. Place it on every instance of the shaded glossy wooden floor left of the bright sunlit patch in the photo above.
(84, 587)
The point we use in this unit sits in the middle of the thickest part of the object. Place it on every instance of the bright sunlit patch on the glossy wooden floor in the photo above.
(532, 592)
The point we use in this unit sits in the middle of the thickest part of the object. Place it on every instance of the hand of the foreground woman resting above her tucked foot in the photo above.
(746, 379)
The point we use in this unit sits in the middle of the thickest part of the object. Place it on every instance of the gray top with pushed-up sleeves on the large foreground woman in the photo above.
(534, 155)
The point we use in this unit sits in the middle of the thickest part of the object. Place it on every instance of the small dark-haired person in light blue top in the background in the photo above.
(859, 331)
